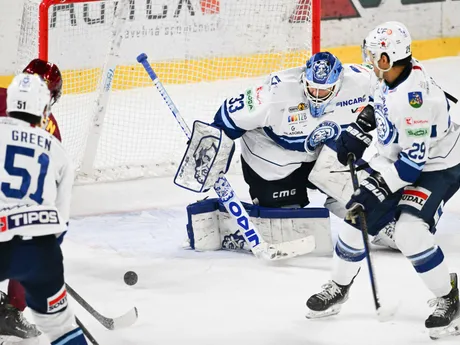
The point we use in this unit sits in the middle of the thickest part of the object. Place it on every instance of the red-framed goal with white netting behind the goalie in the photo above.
(114, 124)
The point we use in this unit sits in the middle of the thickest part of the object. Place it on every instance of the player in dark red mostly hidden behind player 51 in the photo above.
(12, 323)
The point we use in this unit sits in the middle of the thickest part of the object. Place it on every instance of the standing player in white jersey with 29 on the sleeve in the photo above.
(416, 171)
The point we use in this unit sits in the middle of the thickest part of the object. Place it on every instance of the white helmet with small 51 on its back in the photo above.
(28, 93)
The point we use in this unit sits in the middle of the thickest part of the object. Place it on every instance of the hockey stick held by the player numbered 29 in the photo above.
(382, 315)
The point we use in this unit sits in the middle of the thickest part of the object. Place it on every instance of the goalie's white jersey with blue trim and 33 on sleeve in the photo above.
(276, 129)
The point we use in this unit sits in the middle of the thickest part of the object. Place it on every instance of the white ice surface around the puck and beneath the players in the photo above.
(227, 298)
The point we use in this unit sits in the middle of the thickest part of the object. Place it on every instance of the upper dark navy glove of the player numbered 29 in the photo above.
(355, 139)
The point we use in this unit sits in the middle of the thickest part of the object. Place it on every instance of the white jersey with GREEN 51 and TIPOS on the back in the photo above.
(36, 181)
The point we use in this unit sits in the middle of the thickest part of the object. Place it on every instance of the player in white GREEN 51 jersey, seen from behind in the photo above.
(36, 185)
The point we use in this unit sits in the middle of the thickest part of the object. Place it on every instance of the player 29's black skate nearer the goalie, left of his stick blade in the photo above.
(328, 302)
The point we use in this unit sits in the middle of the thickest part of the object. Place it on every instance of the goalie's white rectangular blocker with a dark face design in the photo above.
(208, 154)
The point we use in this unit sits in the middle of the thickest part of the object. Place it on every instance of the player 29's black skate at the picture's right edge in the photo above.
(445, 320)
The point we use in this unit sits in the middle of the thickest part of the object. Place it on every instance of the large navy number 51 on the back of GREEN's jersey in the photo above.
(12, 152)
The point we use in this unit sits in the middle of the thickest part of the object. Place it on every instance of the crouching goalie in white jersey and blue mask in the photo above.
(282, 125)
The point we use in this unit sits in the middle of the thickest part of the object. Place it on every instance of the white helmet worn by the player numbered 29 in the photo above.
(391, 38)
